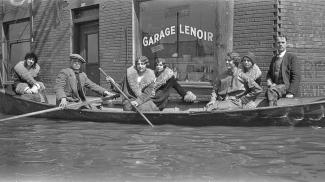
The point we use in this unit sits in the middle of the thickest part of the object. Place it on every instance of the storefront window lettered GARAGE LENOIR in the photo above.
(183, 33)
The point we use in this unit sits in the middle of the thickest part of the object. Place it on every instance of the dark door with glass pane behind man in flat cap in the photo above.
(89, 51)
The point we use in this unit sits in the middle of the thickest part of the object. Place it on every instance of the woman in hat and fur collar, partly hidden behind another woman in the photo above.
(250, 68)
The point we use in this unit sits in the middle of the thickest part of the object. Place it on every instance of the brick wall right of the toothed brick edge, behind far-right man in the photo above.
(303, 22)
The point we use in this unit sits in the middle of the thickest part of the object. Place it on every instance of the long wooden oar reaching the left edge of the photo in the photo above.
(56, 109)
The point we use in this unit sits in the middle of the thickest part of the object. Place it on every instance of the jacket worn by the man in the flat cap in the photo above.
(66, 86)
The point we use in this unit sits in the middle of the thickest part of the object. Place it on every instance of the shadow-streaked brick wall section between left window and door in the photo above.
(52, 39)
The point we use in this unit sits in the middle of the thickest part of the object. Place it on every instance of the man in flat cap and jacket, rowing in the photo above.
(71, 82)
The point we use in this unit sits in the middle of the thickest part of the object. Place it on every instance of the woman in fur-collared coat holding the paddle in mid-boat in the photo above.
(138, 86)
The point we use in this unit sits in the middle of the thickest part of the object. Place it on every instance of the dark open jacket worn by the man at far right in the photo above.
(290, 72)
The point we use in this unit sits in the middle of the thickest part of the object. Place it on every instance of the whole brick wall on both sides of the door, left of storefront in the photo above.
(53, 35)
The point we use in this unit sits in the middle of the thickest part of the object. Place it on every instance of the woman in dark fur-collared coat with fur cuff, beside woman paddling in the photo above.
(165, 81)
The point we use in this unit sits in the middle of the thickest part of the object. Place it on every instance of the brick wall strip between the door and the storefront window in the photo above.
(115, 31)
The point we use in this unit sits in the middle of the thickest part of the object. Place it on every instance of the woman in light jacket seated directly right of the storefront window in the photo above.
(233, 89)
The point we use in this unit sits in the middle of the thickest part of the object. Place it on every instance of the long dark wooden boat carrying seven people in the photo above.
(290, 112)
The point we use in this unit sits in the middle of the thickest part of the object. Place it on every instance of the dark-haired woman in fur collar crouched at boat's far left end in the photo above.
(25, 75)
